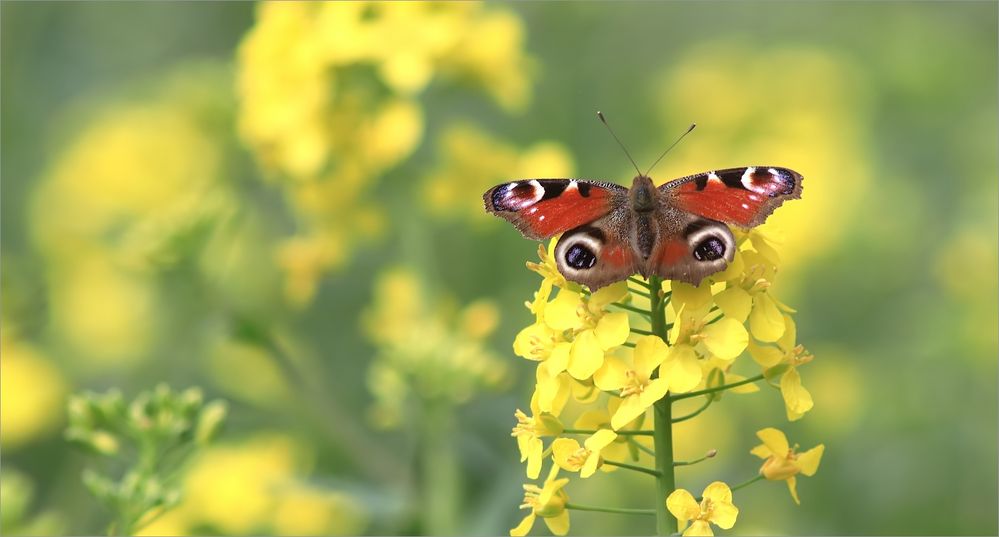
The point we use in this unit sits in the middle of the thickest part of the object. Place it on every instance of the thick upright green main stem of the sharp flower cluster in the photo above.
(662, 412)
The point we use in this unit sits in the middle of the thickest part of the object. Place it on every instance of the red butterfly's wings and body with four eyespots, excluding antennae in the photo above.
(678, 231)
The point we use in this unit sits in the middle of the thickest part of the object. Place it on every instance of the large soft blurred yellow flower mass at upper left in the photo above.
(137, 189)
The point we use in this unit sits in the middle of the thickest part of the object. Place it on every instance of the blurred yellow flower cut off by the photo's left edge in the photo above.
(32, 394)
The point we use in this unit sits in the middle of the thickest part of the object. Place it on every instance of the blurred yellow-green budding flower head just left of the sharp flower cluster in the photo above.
(428, 348)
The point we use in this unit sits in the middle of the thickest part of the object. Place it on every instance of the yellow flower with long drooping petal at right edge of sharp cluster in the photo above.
(787, 356)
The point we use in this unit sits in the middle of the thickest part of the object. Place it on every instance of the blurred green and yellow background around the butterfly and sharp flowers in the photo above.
(281, 204)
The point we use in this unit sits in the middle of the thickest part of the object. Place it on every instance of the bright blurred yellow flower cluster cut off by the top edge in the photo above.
(329, 103)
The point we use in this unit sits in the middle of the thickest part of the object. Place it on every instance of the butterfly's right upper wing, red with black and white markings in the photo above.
(740, 196)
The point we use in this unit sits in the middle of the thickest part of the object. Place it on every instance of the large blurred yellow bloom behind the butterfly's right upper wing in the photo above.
(818, 129)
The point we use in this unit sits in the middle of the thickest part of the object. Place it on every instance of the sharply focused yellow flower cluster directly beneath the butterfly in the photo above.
(597, 349)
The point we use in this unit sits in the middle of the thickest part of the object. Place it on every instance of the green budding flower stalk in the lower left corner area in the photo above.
(153, 437)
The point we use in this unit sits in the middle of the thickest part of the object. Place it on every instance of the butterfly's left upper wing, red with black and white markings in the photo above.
(543, 208)
